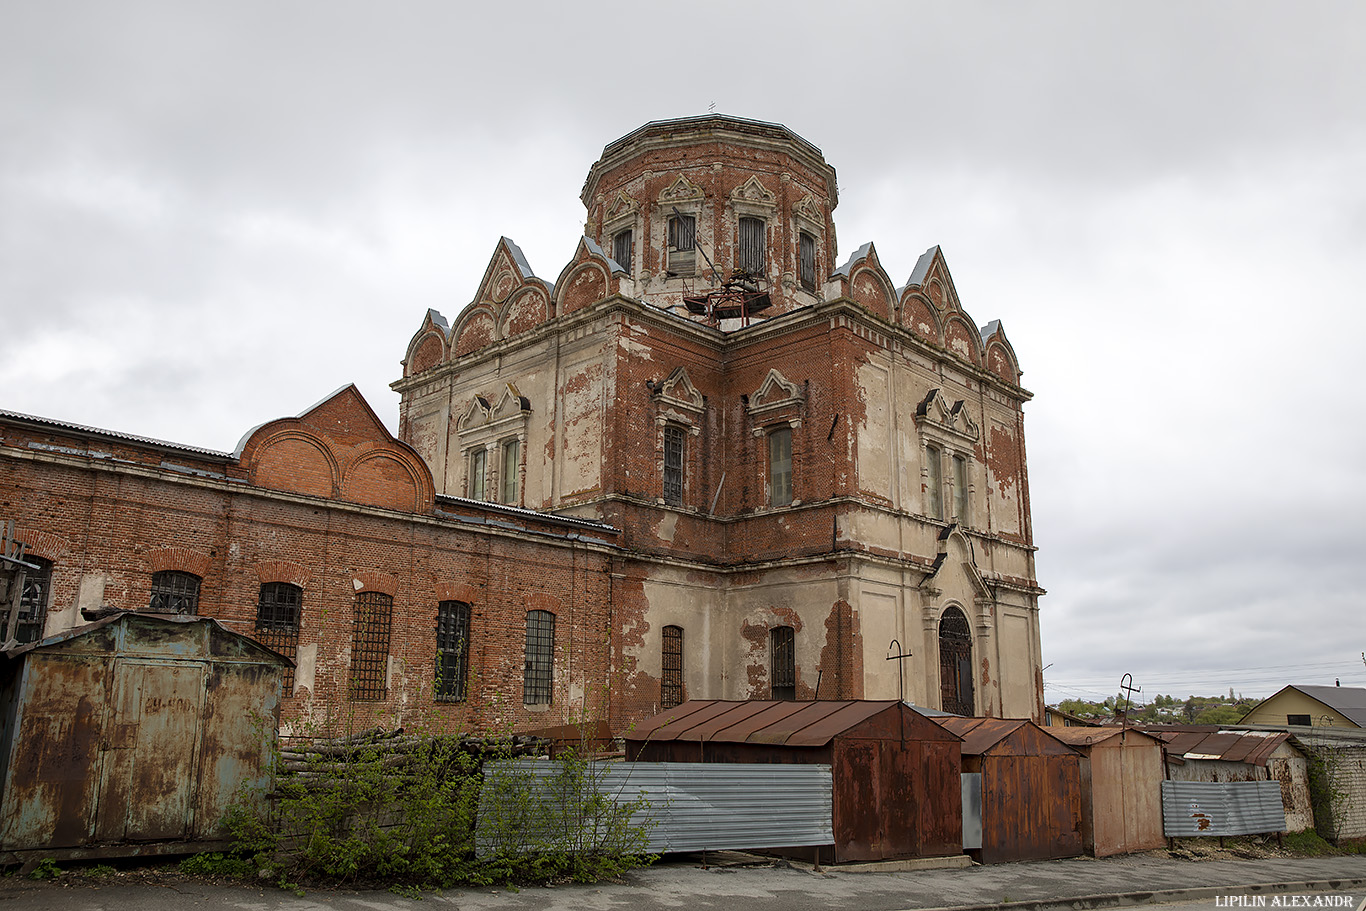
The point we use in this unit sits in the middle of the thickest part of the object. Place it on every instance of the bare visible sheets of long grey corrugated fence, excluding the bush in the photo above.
(692, 807)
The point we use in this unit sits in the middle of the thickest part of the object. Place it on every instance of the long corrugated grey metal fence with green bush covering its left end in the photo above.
(684, 807)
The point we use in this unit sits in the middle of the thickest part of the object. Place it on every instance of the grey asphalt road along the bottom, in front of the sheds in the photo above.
(1081, 883)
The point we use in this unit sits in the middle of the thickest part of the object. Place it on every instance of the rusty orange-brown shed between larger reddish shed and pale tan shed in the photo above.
(1031, 790)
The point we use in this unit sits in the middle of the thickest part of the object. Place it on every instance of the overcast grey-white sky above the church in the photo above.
(214, 215)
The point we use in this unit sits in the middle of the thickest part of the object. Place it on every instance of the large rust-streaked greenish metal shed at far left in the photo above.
(132, 735)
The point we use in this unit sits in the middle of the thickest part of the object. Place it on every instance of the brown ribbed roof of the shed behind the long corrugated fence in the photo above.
(796, 725)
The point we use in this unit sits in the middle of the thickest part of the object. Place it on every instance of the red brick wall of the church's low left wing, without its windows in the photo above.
(125, 522)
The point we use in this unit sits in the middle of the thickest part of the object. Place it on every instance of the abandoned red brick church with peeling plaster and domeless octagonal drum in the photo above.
(706, 462)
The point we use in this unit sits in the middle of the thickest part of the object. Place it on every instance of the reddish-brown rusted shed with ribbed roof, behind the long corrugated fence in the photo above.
(895, 772)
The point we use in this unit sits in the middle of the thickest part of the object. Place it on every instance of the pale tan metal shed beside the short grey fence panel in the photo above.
(1122, 789)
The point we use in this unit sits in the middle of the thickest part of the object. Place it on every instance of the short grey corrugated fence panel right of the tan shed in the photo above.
(1222, 808)
